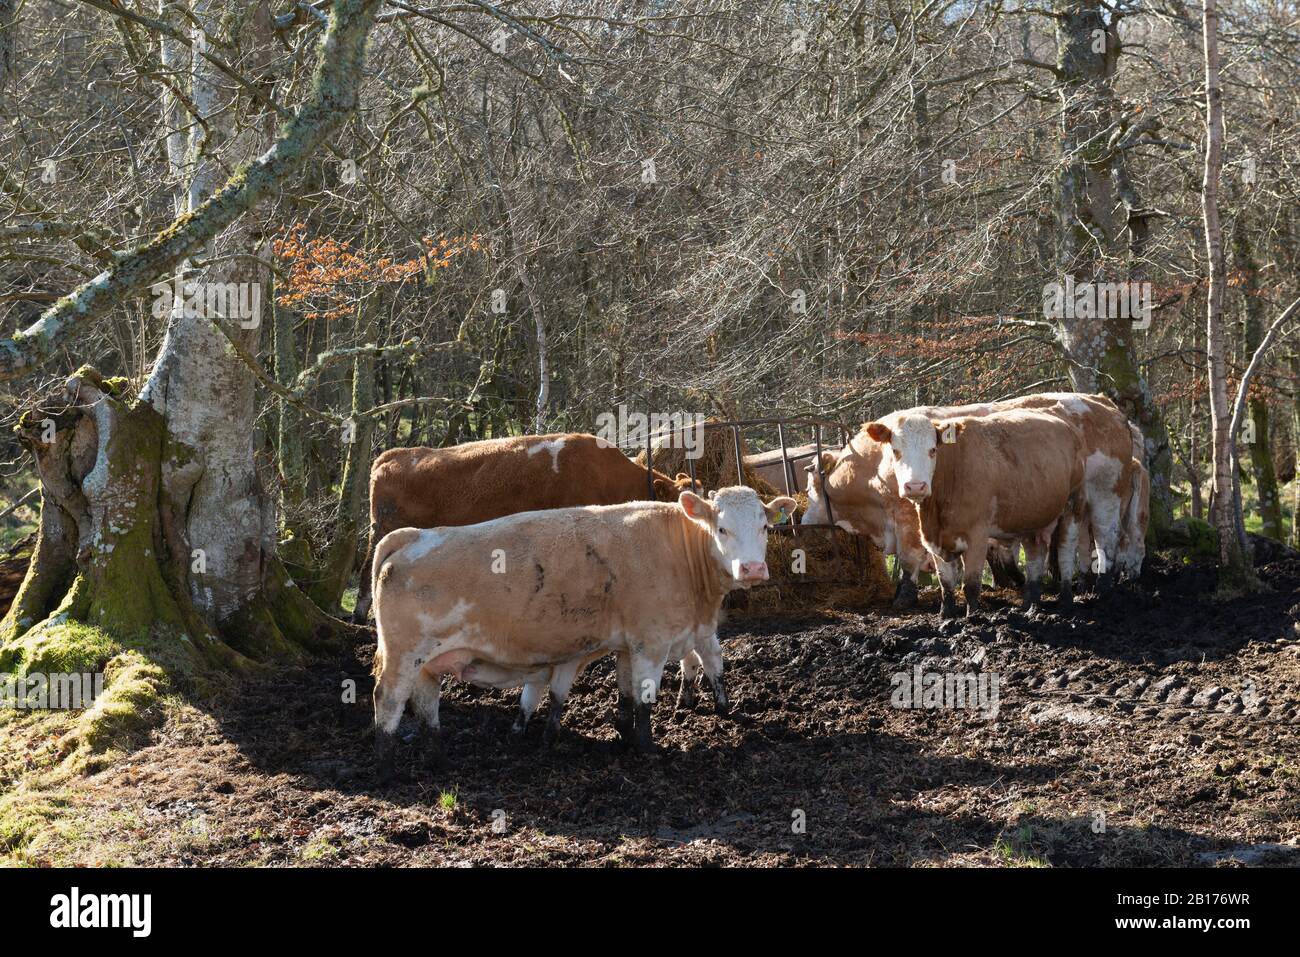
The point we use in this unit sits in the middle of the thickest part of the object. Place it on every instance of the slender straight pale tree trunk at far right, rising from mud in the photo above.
(1236, 570)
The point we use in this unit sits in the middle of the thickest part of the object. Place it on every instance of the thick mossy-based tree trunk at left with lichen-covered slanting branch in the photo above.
(157, 557)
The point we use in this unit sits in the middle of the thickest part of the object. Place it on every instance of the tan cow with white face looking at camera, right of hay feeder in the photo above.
(1008, 477)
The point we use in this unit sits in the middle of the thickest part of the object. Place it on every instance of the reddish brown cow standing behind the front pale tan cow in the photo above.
(479, 482)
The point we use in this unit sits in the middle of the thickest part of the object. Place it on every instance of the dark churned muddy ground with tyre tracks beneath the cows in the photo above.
(1154, 728)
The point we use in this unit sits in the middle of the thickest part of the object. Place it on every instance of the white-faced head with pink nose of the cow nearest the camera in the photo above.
(738, 523)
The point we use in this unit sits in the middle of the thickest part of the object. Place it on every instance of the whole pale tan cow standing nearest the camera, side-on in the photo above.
(530, 599)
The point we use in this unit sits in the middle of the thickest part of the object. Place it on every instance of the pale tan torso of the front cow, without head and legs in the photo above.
(544, 587)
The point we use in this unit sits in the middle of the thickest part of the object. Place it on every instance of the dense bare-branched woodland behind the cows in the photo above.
(539, 211)
